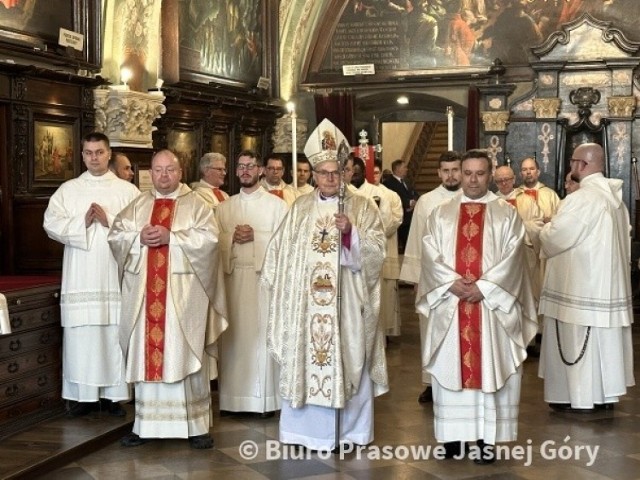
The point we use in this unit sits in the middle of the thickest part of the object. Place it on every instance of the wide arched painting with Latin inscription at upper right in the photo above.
(457, 35)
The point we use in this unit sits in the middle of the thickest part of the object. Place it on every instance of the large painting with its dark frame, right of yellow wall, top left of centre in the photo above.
(222, 42)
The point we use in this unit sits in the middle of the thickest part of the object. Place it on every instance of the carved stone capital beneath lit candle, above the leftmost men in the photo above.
(126, 116)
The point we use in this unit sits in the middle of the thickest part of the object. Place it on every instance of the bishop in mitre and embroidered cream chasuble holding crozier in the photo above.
(330, 364)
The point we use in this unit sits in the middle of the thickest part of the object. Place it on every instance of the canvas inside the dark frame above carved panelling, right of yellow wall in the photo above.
(222, 40)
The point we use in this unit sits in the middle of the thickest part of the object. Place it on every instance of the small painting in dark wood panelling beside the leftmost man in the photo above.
(54, 152)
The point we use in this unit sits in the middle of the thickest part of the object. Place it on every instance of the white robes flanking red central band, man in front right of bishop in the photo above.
(508, 323)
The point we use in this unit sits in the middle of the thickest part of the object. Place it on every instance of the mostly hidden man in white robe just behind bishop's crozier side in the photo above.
(389, 304)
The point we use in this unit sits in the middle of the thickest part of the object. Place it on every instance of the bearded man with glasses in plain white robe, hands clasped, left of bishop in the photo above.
(248, 376)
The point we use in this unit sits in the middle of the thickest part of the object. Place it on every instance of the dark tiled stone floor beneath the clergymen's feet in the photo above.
(558, 443)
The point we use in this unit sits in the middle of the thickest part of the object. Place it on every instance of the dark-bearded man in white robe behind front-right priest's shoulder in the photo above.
(449, 174)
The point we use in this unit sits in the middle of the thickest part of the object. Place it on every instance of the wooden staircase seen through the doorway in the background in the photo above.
(430, 142)
